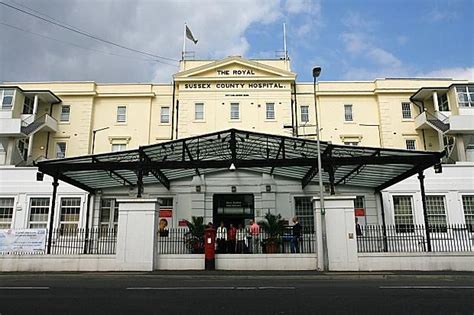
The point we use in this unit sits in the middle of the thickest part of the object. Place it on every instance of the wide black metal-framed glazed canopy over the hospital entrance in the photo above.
(290, 157)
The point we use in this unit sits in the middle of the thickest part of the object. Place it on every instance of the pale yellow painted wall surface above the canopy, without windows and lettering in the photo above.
(376, 108)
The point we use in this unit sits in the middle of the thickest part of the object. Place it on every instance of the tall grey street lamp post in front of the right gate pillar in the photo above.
(316, 73)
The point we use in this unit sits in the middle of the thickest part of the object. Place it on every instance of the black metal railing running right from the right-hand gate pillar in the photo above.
(412, 238)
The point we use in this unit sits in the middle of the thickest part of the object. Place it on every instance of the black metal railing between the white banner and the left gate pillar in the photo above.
(97, 241)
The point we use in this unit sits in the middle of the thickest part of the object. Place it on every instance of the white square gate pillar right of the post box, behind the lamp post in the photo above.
(341, 235)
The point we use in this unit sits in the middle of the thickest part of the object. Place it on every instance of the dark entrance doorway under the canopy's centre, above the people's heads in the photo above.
(233, 208)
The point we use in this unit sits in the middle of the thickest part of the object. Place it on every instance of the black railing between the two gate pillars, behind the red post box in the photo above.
(181, 241)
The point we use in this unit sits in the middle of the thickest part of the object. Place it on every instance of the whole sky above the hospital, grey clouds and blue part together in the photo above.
(351, 40)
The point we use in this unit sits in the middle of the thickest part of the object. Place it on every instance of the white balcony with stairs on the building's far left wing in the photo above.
(16, 127)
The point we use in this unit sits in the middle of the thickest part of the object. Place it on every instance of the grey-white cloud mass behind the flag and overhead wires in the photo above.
(151, 26)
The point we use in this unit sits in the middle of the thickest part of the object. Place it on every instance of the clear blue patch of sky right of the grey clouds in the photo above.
(354, 40)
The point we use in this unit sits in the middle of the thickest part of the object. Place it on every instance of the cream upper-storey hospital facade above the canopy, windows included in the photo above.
(262, 95)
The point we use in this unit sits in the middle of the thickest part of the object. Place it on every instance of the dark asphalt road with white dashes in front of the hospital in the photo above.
(235, 293)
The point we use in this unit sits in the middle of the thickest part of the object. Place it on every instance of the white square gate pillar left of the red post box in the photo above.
(137, 234)
